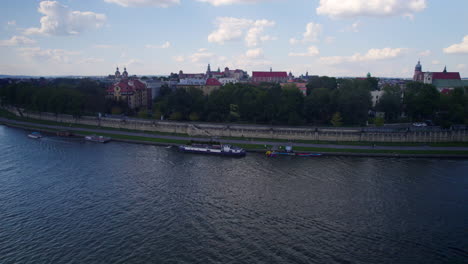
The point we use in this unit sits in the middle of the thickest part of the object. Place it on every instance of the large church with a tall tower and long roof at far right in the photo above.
(441, 80)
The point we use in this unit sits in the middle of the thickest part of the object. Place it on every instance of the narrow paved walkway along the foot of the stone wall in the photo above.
(233, 141)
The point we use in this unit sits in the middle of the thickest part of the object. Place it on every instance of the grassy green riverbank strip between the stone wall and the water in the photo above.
(253, 145)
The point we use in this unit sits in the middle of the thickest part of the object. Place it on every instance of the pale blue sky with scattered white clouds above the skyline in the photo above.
(157, 37)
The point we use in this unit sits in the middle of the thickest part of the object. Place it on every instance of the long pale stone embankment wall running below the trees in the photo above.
(385, 134)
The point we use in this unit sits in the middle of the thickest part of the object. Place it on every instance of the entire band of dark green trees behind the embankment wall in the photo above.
(328, 101)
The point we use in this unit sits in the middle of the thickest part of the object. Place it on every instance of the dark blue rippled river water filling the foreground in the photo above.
(67, 201)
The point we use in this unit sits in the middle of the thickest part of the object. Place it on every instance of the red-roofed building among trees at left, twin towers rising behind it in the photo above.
(132, 91)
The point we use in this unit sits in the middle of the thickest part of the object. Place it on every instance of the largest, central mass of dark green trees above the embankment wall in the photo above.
(269, 103)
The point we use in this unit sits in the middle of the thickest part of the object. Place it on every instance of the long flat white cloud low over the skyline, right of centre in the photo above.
(371, 55)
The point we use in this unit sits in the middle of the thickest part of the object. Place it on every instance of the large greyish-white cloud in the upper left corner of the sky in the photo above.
(58, 19)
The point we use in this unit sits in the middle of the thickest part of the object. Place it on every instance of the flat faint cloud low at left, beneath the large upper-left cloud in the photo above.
(52, 55)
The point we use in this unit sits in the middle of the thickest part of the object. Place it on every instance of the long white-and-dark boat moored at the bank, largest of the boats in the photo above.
(214, 149)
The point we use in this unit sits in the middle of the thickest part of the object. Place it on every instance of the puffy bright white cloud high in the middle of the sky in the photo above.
(231, 28)
